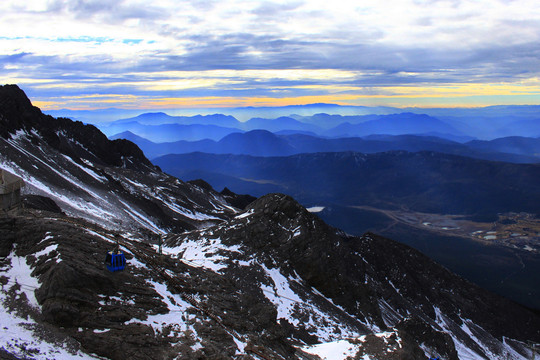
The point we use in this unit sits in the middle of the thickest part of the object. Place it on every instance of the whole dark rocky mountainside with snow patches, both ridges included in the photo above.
(270, 282)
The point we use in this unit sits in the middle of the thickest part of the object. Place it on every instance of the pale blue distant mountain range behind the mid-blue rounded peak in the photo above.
(160, 127)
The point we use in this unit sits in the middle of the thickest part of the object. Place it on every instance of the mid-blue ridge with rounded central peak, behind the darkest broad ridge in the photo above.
(265, 143)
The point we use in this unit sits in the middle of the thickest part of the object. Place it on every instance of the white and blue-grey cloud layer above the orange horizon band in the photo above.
(357, 43)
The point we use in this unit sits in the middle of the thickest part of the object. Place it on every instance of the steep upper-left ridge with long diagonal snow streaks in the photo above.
(88, 176)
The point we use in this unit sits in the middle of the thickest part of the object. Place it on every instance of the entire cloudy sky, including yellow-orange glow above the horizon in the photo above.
(87, 54)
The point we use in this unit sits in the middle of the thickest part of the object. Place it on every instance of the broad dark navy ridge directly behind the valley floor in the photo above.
(424, 181)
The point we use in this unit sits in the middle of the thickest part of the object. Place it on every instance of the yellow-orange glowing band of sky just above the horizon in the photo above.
(445, 95)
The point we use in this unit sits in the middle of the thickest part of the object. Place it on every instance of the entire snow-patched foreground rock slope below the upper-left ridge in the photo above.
(237, 289)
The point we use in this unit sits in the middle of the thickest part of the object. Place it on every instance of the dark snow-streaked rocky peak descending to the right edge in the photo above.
(328, 287)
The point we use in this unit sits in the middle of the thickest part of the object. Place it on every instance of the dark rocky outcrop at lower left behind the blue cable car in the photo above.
(132, 314)
